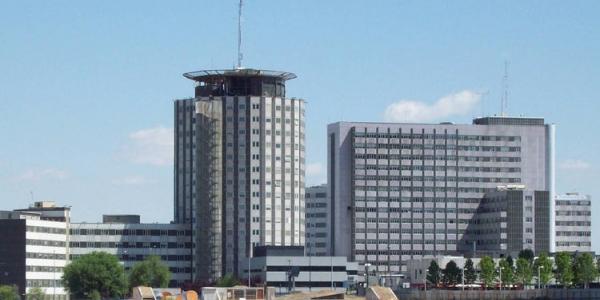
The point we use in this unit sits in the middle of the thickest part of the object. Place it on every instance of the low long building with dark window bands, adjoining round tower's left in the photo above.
(132, 242)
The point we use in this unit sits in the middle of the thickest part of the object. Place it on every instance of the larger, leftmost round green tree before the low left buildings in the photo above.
(98, 271)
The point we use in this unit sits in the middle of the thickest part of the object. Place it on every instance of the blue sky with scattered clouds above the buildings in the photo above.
(87, 88)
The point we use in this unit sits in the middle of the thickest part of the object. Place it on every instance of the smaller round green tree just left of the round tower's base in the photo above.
(150, 272)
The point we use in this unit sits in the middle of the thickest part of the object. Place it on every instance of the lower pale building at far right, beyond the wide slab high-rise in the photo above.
(573, 222)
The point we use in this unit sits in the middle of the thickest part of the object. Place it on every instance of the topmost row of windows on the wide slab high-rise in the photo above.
(437, 136)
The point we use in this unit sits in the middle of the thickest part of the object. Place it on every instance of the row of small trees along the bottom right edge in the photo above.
(567, 269)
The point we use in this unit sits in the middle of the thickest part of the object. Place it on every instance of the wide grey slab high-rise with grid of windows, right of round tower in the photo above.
(408, 191)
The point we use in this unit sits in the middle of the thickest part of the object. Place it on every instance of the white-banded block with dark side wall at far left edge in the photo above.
(33, 252)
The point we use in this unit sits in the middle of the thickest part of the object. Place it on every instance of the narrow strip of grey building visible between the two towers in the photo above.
(318, 231)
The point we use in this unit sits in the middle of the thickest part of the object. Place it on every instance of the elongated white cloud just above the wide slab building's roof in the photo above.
(457, 104)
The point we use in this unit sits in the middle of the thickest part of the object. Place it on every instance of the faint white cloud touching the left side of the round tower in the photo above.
(153, 146)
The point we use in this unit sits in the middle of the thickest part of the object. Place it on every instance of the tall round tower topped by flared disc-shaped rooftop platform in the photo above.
(239, 167)
